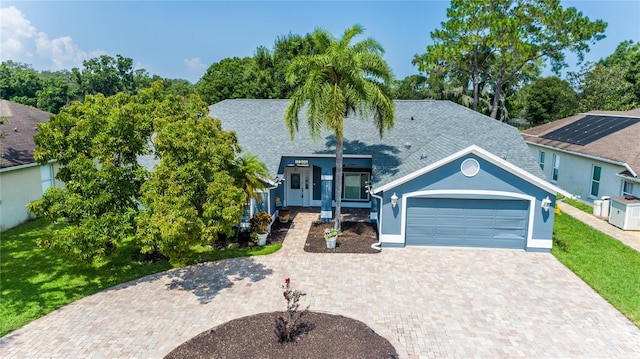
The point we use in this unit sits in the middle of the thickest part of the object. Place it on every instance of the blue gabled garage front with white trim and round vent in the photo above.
(472, 198)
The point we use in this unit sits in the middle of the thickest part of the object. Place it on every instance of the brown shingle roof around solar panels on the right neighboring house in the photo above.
(621, 146)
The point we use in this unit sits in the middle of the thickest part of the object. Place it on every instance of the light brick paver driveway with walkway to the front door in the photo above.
(427, 302)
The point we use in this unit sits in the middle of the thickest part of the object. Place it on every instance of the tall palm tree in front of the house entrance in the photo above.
(339, 80)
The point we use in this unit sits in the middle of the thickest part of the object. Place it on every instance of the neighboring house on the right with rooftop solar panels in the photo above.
(592, 154)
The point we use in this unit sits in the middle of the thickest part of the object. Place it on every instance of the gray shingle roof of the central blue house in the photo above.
(436, 129)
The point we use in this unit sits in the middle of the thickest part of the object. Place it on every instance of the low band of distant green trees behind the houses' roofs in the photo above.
(613, 83)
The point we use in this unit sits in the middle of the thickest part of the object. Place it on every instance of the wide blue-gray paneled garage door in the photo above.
(467, 222)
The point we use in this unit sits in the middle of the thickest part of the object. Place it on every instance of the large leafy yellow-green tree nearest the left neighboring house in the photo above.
(96, 142)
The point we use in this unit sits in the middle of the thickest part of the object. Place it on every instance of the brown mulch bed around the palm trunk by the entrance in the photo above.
(356, 237)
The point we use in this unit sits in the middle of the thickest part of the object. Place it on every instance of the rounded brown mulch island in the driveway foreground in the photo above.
(323, 336)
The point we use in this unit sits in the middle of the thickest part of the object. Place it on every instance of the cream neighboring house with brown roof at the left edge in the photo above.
(22, 180)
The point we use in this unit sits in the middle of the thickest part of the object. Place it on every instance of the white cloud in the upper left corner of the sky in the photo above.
(21, 42)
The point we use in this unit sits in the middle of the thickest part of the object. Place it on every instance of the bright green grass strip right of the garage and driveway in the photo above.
(611, 268)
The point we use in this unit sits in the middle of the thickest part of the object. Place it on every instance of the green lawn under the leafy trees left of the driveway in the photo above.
(35, 281)
